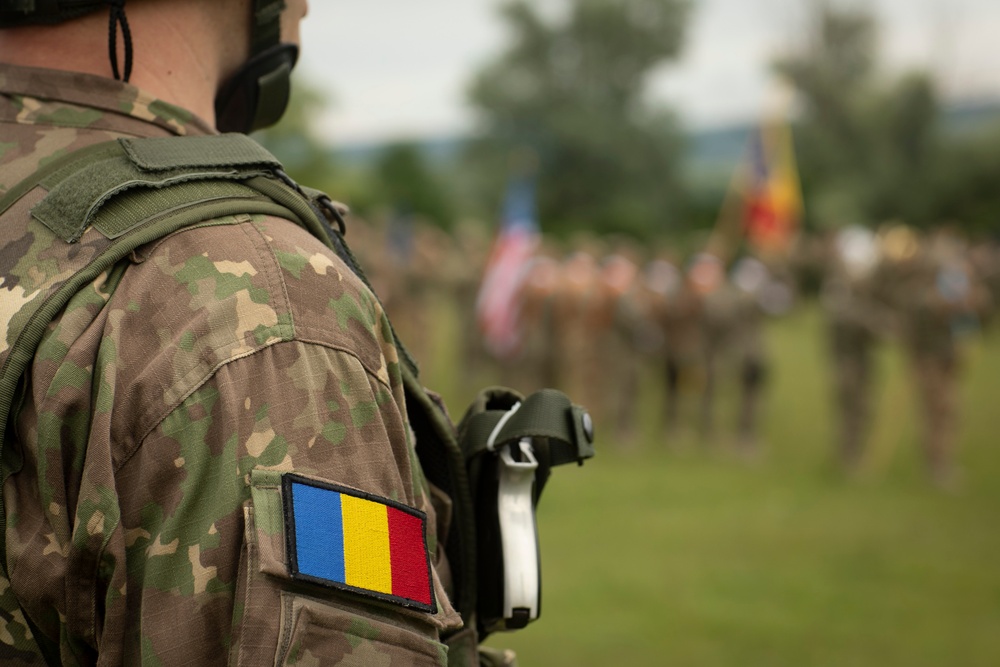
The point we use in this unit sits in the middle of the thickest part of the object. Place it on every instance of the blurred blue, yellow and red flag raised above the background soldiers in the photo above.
(772, 199)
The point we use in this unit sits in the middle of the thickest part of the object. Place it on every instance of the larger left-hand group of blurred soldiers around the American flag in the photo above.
(601, 320)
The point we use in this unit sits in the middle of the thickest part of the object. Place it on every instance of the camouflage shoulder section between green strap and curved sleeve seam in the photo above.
(224, 290)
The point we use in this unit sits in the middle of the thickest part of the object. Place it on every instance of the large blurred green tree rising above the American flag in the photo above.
(572, 90)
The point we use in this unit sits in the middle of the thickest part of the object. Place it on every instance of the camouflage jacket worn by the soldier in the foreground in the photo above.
(163, 410)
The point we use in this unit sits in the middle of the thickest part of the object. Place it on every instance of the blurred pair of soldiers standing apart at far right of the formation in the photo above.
(923, 292)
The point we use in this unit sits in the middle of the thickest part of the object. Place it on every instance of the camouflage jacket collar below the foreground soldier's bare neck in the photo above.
(95, 93)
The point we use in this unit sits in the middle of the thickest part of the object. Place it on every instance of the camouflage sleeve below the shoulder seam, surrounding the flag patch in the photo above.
(209, 553)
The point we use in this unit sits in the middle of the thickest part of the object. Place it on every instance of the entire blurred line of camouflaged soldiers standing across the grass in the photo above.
(603, 320)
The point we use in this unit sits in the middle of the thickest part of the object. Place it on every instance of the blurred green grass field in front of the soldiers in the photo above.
(671, 554)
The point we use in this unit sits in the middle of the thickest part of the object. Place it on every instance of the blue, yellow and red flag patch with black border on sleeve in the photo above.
(347, 539)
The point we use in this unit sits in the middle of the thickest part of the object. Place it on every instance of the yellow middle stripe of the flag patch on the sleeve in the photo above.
(367, 563)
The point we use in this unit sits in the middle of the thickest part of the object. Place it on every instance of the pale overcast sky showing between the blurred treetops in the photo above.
(399, 68)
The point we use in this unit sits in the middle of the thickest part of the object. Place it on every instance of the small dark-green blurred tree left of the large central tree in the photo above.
(405, 181)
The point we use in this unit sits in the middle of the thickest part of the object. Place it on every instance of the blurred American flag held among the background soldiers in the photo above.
(497, 306)
